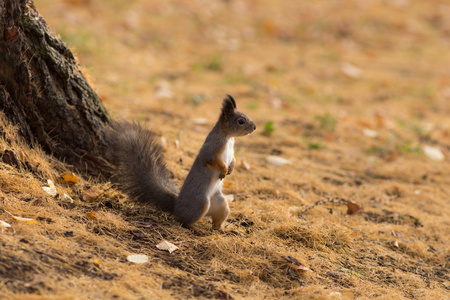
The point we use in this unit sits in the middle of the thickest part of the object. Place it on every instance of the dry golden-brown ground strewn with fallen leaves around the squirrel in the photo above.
(350, 97)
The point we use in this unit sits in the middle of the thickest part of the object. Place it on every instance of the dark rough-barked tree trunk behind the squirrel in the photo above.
(43, 91)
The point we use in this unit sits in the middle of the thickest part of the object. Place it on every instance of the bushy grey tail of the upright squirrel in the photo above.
(141, 169)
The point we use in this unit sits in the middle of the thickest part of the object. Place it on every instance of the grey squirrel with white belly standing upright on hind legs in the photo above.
(143, 175)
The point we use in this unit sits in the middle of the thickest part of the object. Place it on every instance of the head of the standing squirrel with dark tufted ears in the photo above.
(234, 122)
